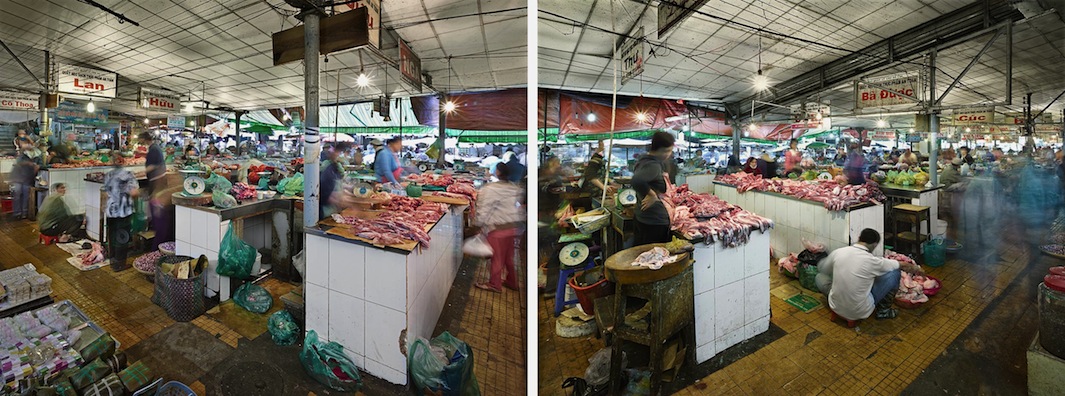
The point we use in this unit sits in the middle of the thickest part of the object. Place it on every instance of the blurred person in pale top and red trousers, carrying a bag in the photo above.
(501, 218)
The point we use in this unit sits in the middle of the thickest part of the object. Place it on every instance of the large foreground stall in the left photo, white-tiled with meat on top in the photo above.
(376, 280)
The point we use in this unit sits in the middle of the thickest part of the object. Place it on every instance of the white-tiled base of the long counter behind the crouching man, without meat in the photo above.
(796, 220)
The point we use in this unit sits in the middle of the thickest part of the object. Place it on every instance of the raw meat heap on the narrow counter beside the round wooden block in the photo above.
(709, 218)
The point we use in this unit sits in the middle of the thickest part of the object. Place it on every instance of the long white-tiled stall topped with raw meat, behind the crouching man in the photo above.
(801, 210)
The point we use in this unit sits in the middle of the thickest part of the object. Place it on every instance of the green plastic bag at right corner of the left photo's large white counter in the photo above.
(450, 374)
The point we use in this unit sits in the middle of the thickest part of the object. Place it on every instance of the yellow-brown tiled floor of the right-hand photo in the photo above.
(818, 356)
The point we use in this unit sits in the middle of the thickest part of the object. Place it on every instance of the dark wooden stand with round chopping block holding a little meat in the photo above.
(670, 292)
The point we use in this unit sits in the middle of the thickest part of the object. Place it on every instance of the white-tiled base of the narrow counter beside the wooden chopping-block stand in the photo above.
(732, 294)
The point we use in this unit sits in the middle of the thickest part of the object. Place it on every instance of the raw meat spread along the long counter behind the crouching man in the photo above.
(835, 196)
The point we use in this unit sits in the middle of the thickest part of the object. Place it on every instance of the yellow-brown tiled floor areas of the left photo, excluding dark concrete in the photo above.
(493, 324)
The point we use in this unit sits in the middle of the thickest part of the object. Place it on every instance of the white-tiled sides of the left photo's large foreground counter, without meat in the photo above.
(365, 298)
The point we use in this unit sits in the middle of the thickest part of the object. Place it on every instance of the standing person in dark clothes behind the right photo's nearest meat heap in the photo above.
(649, 180)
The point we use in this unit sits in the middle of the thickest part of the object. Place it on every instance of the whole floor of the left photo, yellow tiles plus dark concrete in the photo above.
(228, 353)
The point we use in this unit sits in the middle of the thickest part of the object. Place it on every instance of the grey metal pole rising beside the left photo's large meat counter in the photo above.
(313, 144)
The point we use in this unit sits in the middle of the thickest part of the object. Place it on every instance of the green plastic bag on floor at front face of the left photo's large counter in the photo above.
(327, 365)
